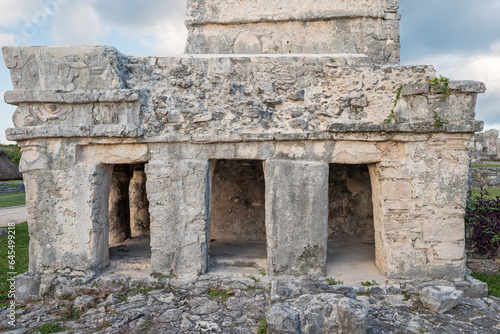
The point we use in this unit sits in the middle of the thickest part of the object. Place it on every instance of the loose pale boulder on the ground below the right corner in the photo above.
(440, 299)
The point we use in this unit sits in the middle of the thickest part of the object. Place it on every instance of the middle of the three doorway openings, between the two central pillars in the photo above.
(237, 225)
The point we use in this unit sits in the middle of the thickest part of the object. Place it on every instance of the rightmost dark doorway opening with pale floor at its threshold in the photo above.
(351, 231)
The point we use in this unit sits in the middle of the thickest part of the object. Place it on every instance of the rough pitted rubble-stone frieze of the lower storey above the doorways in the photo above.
(217, 102)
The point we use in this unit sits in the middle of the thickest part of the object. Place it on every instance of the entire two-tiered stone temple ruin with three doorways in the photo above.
(265, 146)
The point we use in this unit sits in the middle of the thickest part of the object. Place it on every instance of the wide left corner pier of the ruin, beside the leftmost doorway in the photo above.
(68, 224)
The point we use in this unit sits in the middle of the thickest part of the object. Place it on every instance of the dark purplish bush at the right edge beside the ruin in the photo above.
(482, 219)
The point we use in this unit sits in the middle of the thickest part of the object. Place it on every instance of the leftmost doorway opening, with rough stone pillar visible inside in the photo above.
(128, 212)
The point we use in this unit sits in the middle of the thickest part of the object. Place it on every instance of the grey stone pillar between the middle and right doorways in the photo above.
(296, 216)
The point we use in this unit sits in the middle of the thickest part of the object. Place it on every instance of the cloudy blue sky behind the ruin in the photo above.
(461, 38)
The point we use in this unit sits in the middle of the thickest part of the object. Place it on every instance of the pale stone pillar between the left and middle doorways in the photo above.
(179, 197)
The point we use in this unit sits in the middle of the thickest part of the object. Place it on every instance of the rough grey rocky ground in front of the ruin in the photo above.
(227, 305)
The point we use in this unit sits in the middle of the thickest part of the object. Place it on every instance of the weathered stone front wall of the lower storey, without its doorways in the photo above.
(297, 114)
